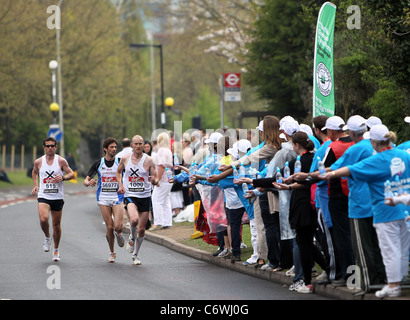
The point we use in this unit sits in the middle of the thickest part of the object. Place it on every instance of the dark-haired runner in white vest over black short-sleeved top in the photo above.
(108, 198)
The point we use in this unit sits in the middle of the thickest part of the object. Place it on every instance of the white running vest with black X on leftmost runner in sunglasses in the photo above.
(50, 189)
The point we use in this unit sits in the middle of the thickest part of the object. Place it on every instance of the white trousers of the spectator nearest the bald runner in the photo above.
(161, 204)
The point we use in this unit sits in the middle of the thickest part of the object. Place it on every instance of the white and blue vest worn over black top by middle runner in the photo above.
(107, 182)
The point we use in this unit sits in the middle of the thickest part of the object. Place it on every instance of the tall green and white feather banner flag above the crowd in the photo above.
(323, 84)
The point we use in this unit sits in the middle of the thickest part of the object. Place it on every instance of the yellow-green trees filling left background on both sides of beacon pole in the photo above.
(103, 86)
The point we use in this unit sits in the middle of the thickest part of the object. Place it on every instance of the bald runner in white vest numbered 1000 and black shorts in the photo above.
(139, 175)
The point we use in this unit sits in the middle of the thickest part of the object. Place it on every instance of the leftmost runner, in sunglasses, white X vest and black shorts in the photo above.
(51, 170)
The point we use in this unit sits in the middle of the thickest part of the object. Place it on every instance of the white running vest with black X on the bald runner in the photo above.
(136, 179)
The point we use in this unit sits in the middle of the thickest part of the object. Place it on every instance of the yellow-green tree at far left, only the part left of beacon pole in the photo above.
(25, 78)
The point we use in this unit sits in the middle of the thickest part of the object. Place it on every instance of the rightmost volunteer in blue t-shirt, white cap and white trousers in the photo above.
(389, 222)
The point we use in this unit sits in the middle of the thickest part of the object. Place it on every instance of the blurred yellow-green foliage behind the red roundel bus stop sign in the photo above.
(189, 72)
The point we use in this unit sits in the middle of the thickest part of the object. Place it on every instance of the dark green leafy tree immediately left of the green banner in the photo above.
(277, 61)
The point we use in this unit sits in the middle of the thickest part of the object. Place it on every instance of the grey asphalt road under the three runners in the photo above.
(27, 273)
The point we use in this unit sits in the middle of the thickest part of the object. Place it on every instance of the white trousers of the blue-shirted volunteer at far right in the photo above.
(394, 242)
